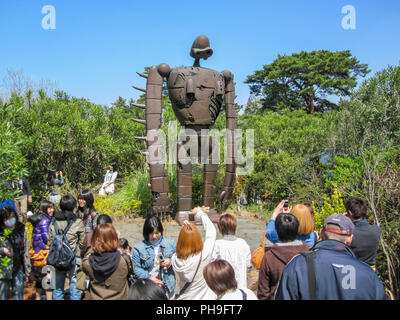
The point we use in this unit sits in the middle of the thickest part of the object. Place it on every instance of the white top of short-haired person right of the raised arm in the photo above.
(237, 252)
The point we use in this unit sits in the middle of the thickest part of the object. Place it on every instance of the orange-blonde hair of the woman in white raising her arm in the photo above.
(189, 241)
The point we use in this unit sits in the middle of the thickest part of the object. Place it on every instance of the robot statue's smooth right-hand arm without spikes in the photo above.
(231, 125)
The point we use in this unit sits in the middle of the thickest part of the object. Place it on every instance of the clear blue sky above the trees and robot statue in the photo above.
(98, 45)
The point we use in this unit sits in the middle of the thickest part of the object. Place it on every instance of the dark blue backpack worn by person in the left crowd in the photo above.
(61, 255)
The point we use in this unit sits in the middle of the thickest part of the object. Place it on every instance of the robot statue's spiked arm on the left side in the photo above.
(153, 112)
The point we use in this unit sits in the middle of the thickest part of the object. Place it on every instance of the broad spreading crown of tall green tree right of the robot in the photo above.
(303, 80)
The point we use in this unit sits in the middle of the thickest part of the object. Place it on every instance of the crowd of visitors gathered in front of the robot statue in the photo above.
(72, 241)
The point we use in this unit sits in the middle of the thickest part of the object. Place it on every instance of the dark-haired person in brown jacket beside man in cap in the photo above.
(279, 254)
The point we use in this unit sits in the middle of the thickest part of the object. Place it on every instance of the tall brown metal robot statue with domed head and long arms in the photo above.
(197, 95)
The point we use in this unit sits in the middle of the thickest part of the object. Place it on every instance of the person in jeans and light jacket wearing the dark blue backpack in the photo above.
(75, 236)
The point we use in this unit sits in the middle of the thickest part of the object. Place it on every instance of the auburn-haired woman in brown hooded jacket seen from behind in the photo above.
(106, 269)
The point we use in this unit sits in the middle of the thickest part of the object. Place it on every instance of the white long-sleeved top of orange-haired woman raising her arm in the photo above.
(185, 269)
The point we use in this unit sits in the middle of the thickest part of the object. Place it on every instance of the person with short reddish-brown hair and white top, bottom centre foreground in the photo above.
(220, 278)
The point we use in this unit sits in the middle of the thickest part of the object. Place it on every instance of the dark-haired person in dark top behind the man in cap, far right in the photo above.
(366, 236)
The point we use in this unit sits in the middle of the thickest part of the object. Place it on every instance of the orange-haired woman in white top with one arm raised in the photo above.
(192, 255)
